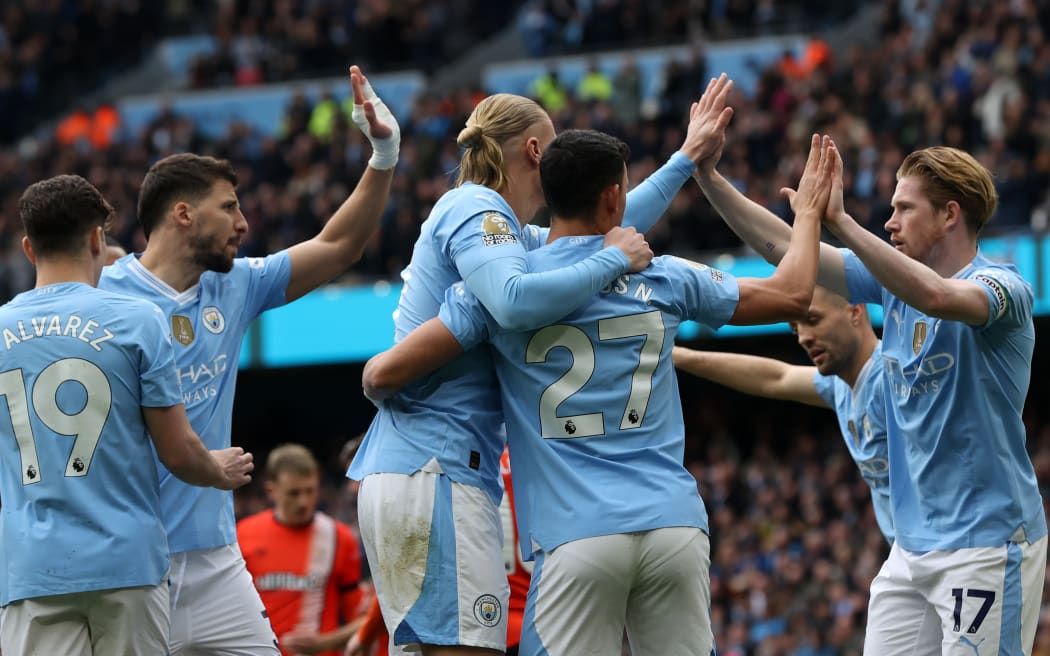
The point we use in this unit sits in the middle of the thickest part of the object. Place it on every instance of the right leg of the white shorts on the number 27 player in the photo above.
(669, 608)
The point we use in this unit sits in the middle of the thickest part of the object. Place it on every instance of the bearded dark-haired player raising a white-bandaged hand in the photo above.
(190, 211)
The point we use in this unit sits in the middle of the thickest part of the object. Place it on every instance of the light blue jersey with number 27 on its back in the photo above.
(593, 409)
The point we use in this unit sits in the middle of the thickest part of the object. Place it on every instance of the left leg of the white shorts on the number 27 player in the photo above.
(578, 599)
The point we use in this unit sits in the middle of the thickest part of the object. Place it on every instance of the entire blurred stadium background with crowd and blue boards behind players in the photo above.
(106, 88)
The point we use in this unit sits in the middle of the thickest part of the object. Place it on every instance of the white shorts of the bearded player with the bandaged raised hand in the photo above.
(216, 609)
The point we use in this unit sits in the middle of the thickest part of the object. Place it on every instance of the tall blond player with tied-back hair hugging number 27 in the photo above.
(437, 449)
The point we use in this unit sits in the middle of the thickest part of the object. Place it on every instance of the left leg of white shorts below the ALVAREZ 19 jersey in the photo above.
(46, 627)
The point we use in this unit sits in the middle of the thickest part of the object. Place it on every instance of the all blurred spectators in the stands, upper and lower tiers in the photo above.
(795, 544)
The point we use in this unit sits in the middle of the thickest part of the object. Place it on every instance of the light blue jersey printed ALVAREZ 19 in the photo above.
(81, 510)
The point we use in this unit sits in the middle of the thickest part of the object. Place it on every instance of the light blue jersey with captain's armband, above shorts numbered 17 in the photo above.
(960, 475)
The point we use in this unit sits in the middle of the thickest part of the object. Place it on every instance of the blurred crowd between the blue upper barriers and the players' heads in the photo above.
(970, 75)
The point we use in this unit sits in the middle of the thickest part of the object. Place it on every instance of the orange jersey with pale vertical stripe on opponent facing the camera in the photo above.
(307, 577)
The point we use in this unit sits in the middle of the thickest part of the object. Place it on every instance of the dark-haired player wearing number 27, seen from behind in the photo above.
(604, 502)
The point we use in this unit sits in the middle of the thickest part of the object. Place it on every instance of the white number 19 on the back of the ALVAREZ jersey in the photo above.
(85, 427)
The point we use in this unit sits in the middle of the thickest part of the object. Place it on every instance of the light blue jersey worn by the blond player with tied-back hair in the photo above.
(453, 417)
